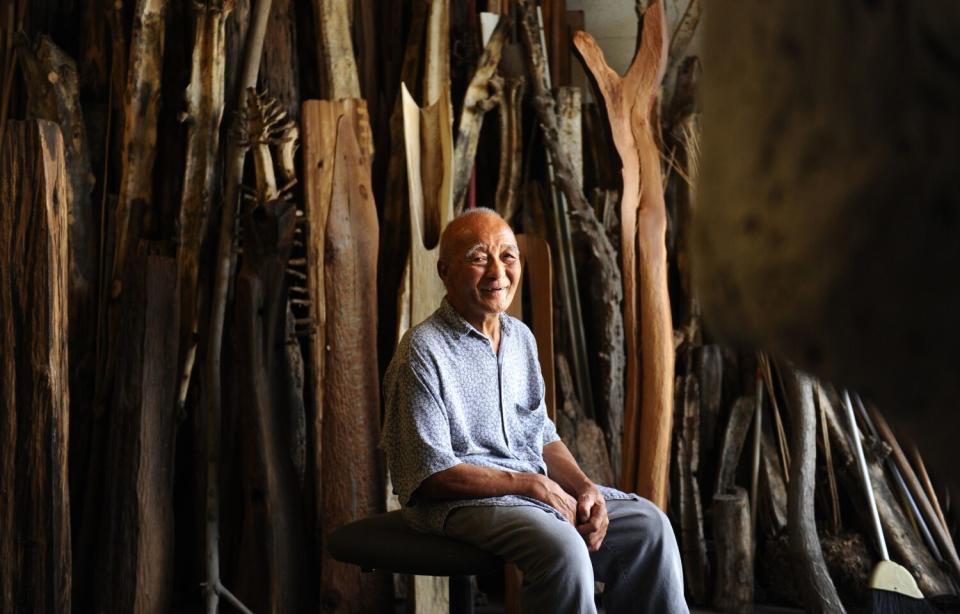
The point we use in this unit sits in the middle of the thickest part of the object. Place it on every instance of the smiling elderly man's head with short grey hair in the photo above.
(481, 270)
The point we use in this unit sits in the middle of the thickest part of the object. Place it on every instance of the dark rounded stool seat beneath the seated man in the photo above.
(385, 543)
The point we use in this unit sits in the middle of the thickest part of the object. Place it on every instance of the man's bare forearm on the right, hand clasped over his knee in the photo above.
(591, 516)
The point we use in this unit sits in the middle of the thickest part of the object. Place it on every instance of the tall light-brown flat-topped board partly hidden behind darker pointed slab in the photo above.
(319, 127)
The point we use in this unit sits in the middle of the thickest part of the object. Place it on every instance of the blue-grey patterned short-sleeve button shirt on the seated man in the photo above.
(451, 400)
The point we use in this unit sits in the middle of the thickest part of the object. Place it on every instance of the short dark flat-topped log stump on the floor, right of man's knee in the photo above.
(735, 549)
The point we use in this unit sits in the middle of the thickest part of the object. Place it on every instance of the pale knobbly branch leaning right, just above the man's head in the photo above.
(483, 93)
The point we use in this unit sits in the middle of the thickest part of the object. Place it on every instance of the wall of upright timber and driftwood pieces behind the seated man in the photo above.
(197, 310)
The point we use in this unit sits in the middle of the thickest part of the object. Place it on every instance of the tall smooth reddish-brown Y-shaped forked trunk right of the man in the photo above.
(629, 102)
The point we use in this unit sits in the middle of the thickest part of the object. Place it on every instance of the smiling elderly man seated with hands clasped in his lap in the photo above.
(474, 456)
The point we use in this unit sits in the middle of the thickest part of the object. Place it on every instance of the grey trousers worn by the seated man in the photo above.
(638, 562)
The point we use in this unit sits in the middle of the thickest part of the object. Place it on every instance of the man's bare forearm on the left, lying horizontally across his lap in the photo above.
(466, 481)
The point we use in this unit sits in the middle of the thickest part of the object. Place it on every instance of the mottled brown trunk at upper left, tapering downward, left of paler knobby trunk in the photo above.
(141, 107)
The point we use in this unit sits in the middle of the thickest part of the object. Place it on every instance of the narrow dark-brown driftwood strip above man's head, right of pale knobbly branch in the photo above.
(511, 148)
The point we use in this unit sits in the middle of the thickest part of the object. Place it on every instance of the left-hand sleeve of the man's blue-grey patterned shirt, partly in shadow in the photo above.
(416, 435)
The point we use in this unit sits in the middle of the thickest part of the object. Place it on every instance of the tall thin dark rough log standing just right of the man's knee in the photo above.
(696, 570)
